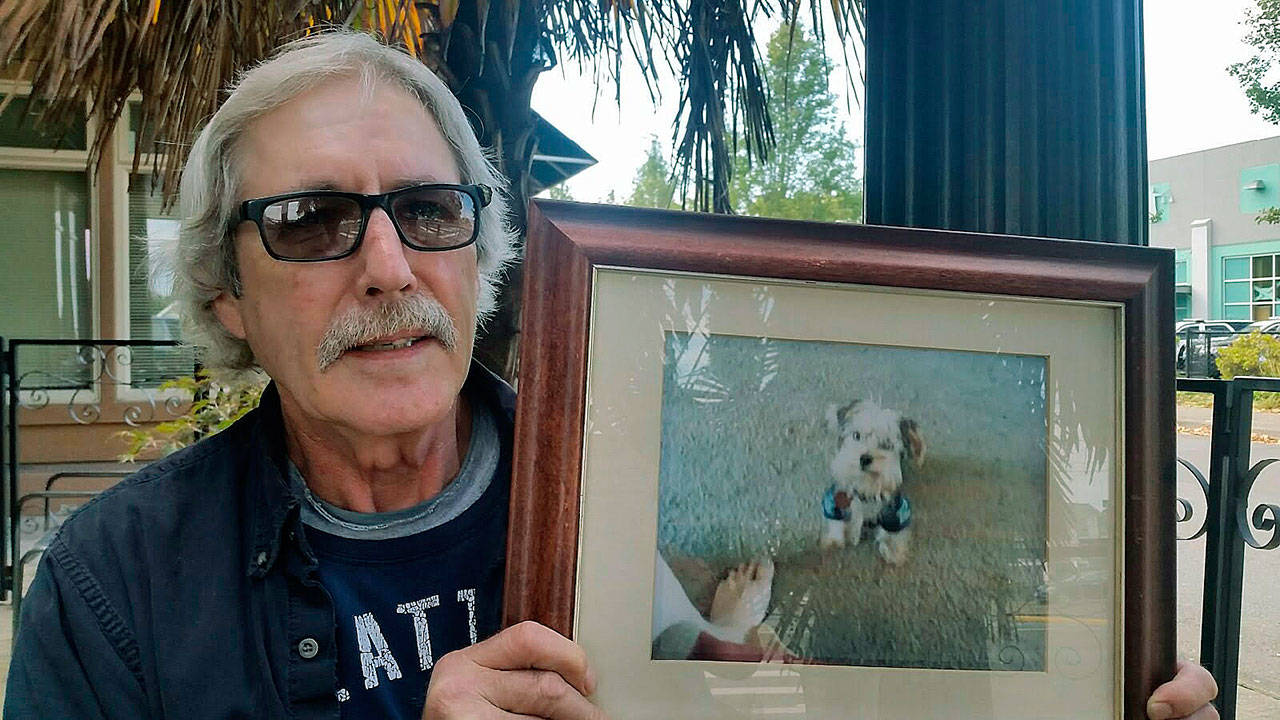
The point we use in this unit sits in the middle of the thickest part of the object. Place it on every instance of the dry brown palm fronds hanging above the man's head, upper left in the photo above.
(177, 56)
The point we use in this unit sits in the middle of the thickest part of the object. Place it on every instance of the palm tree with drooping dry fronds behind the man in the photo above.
(180, 54)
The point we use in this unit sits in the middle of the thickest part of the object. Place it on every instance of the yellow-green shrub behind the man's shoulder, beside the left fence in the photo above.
(220, 402)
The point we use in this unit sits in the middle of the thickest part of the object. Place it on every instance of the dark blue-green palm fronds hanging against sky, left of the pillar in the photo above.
(708, 45)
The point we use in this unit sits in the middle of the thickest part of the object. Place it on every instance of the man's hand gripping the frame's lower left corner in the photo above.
(527, 671)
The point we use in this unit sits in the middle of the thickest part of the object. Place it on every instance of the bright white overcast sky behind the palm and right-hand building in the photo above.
(1192, 104)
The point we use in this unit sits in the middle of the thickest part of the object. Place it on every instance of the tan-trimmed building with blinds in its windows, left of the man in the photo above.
(80, 248)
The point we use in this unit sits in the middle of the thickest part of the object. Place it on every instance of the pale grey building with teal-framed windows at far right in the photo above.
(1206, 207)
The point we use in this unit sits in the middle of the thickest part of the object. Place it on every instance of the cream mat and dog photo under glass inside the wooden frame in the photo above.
(716, 444)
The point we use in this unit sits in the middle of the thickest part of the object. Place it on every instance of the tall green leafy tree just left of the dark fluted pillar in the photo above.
(813, 172)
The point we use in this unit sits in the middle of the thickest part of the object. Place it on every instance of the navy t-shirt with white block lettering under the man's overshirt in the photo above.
(404, 603)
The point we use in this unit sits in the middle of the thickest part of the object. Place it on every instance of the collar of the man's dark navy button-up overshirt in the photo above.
(273, 503)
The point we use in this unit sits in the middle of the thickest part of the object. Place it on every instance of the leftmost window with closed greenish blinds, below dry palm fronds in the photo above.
(45, 244)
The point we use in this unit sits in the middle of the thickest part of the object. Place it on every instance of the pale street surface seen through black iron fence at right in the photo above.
(1259, 695)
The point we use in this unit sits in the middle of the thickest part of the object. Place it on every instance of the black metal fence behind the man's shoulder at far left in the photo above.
(79, 382)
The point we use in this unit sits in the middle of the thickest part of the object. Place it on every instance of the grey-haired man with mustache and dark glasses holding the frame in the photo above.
(340, 552)
